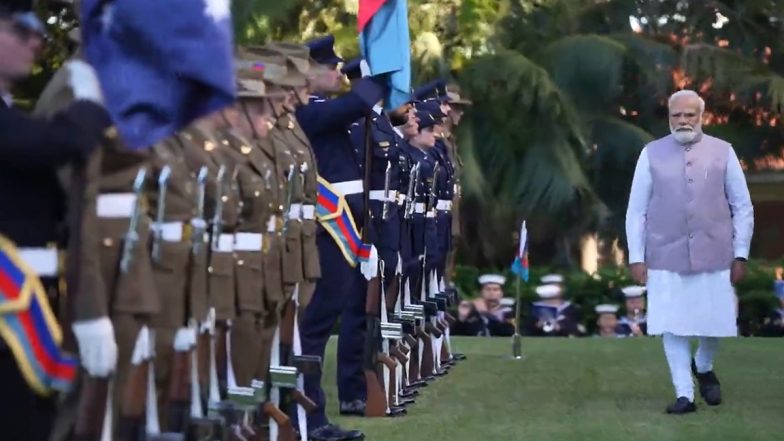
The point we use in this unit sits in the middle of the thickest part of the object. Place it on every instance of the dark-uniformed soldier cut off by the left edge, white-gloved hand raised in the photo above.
(34, 204)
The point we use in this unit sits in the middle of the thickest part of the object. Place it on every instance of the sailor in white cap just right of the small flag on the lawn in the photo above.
(553, 316)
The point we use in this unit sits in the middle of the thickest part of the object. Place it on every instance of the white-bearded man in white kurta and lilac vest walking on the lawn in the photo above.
(689, 225)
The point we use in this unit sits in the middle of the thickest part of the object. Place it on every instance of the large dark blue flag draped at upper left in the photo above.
(161, 64)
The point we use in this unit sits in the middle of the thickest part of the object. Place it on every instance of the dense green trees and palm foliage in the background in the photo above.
(566, 93)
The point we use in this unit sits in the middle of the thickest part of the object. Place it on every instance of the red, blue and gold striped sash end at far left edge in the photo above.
(29, 327)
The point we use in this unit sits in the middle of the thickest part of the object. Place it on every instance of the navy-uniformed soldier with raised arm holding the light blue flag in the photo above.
(341, 290)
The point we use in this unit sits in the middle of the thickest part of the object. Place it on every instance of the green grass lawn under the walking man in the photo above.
(583, 389)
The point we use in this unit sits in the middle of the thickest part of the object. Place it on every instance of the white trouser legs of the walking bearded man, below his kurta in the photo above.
(678, 352)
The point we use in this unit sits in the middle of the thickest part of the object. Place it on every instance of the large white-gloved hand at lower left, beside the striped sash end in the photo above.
(97, 347)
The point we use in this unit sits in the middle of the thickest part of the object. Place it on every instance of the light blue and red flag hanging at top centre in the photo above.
(386, 46)
